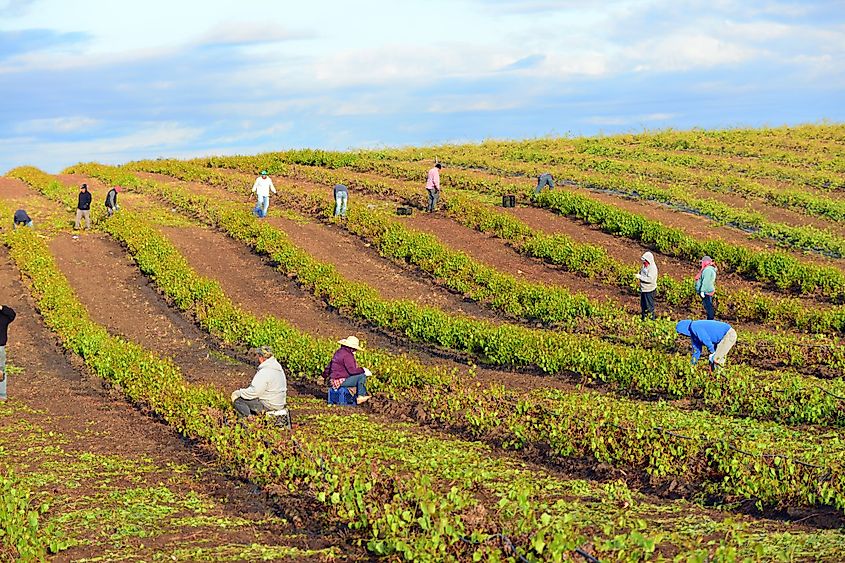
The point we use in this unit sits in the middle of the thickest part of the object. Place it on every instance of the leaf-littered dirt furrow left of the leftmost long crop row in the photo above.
(94, 423)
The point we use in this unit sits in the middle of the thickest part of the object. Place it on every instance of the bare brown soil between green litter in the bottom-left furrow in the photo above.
(88, 419)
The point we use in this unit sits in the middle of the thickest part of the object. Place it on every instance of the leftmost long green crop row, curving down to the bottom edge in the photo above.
(417, 515)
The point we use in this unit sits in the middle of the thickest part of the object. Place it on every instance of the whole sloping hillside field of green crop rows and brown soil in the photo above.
(521, 410)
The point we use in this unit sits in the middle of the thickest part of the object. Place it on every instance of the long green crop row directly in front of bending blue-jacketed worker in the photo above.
(782, 395)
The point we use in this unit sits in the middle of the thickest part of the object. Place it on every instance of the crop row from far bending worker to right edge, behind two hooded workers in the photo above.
(784, 272)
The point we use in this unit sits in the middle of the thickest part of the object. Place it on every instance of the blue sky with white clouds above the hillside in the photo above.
(113, 81)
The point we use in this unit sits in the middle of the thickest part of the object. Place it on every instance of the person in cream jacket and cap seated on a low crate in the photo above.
(269, 388)
